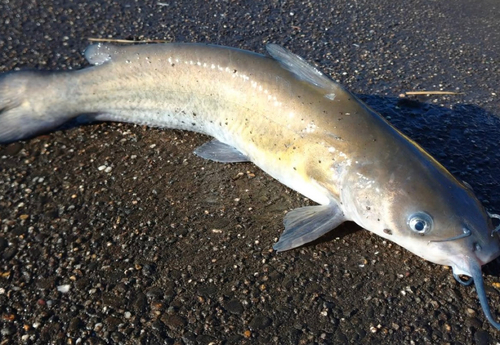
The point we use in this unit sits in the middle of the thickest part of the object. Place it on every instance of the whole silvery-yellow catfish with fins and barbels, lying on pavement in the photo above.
(288, 118)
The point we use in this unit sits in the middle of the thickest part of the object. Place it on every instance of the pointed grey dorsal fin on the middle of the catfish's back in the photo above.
(301, 68)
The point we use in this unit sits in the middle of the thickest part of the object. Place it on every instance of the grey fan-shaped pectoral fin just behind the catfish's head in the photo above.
(306, 224)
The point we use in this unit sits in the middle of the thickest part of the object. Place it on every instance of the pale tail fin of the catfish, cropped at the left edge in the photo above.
(30, 103)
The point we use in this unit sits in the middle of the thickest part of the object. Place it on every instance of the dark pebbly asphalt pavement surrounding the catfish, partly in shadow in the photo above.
(115, 233)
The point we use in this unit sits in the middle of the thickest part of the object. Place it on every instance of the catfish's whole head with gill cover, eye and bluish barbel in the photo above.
(415, 202)
